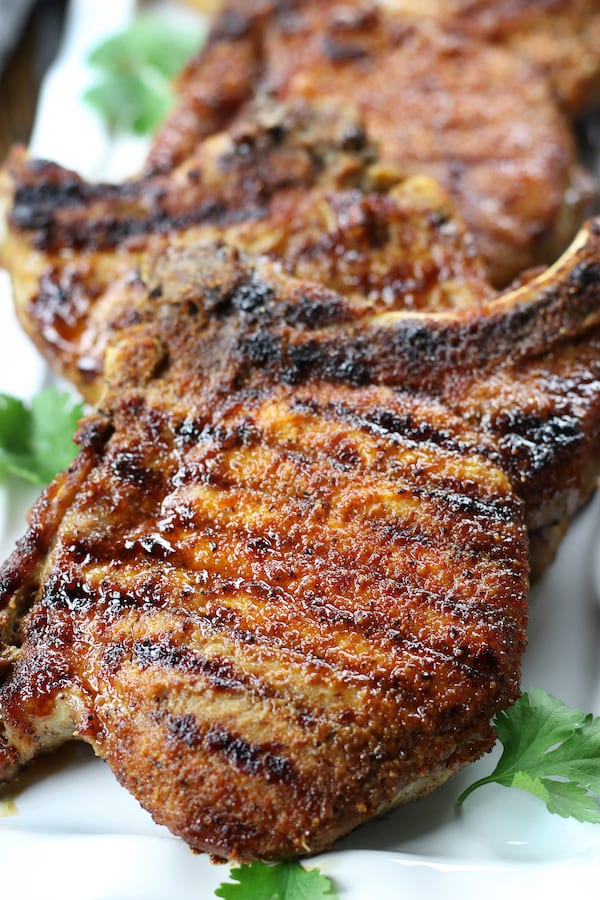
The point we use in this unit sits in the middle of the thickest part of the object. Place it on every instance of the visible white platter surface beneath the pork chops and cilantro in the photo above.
(74, 833)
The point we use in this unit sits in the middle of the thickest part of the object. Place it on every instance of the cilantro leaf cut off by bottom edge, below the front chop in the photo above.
(283, 881)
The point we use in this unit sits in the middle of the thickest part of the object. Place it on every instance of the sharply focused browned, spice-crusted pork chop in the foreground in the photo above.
(272, 669)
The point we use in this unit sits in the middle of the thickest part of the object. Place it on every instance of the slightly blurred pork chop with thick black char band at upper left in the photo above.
(299, 184)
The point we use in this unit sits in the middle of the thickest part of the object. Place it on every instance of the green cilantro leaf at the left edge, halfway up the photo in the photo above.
(37, 442)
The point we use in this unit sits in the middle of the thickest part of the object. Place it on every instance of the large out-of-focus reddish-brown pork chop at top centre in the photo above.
(478, 118)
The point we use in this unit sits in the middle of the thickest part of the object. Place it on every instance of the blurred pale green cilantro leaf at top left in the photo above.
(135, 69)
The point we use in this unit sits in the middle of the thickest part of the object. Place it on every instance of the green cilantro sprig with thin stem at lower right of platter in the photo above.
(553, 752)
